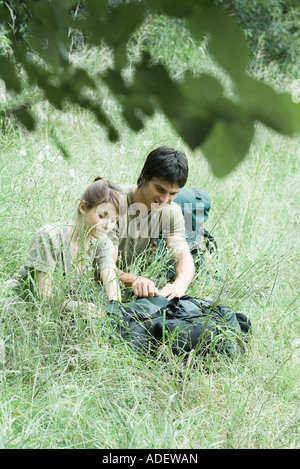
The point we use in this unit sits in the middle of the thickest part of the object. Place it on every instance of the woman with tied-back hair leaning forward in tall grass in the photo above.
(65, 253)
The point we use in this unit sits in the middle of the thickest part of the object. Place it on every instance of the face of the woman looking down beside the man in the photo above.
(99, 220)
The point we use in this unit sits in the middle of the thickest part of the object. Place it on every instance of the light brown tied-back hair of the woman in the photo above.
(102, 191)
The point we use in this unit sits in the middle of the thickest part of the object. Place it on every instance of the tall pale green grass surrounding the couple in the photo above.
(64, 386)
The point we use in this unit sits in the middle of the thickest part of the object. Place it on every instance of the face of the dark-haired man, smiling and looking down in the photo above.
(158, 193)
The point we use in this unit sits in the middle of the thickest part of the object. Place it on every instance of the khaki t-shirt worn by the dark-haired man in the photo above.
(136, 236)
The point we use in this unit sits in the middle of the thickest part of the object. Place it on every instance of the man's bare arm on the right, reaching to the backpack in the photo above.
(185, 268)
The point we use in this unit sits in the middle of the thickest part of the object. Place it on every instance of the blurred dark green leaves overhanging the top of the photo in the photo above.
(37, 32)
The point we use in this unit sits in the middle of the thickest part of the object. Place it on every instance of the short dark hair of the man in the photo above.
(167, 164)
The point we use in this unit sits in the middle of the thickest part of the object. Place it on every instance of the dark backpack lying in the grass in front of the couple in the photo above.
(184, 323)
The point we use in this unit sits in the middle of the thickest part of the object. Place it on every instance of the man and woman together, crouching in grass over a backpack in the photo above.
(114, 225)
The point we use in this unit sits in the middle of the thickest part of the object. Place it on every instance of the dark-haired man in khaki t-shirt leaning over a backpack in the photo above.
(151, 212)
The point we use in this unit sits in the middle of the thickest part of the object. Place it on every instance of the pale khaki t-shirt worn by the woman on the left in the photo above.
(50, 252)
